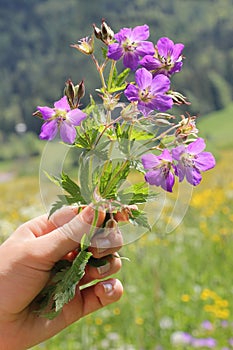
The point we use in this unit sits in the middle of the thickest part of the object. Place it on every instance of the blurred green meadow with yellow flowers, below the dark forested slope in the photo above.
(178, 284)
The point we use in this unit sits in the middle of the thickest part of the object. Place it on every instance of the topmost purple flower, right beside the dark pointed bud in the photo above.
(131, 46)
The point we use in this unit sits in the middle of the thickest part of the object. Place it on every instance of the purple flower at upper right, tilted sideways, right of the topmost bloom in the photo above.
(167, 59)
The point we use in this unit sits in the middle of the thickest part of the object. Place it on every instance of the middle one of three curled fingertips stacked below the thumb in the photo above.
(111, 265)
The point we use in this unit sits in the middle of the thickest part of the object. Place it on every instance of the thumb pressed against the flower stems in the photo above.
(67, 237)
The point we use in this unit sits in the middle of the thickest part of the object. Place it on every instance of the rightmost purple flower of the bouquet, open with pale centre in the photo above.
(191, 161)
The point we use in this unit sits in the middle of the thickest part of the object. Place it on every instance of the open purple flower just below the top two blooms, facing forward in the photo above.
(150, 93)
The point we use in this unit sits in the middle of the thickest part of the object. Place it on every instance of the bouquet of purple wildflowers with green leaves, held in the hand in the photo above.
(128, 132)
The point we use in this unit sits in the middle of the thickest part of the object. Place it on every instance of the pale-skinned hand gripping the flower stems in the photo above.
(26, 259)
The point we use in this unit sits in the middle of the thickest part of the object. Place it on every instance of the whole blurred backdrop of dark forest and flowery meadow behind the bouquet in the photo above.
(183, 282)
